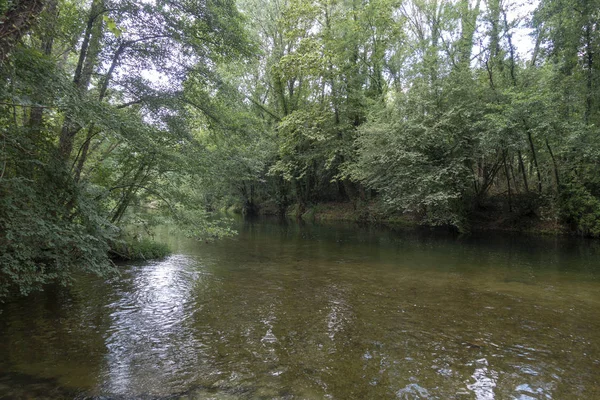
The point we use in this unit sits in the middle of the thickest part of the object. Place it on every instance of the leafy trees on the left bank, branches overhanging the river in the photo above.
(97, 127)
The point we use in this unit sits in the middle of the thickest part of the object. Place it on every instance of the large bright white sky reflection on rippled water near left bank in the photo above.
(146, 322)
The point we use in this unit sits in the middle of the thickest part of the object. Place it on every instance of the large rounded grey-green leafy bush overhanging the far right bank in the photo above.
(423, 162)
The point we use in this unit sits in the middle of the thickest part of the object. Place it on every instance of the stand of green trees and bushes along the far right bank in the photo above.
(427, 107)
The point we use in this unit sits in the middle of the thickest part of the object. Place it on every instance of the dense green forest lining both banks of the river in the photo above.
(460, 113)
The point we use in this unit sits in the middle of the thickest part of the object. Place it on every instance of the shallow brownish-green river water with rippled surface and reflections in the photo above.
(294, 311)
